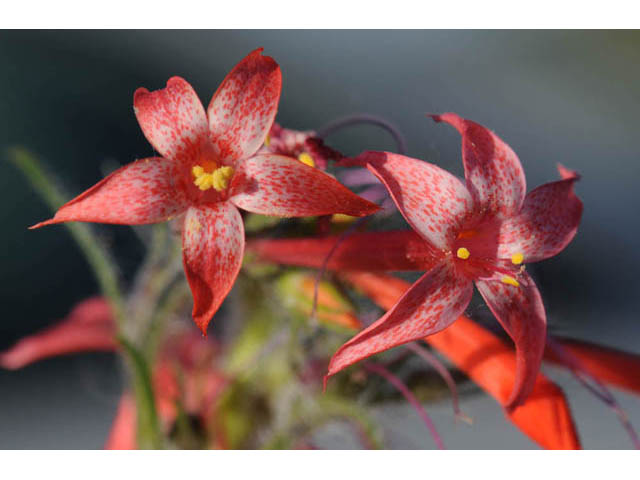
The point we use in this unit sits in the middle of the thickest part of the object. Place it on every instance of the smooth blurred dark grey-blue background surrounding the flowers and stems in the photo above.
(554, 96)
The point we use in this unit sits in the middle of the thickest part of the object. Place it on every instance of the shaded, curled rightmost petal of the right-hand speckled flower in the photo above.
(546, 224)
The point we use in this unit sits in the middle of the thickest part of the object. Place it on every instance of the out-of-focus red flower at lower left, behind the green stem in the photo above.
(185, 374)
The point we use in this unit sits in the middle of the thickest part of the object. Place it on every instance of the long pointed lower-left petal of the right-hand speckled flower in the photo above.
(430, 305)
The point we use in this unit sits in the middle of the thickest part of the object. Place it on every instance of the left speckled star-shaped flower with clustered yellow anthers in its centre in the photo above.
(209, 169)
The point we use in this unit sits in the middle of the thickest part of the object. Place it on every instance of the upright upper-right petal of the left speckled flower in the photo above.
(244, 106)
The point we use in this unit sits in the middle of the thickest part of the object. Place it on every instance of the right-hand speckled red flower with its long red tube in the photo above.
(483, 232)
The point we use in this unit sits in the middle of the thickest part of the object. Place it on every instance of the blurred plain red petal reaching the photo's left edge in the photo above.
(88, 327)
